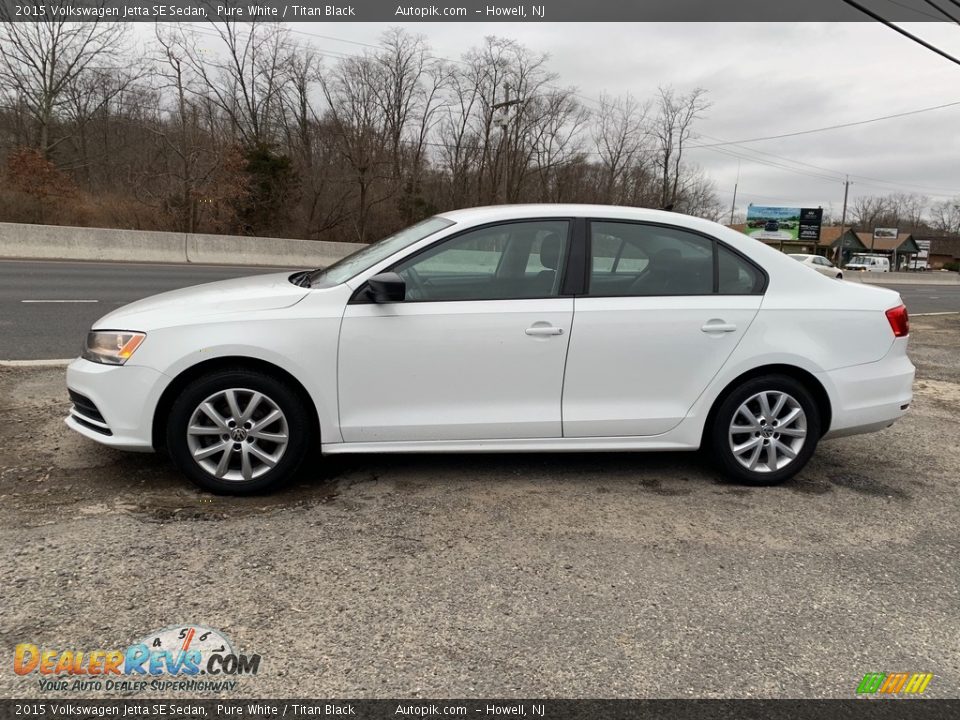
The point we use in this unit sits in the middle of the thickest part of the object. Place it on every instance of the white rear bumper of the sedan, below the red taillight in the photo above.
(870, 397)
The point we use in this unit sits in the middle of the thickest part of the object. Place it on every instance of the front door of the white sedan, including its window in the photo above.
(475, 351)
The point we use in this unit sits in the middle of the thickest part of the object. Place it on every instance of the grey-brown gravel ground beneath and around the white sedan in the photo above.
(502, 576)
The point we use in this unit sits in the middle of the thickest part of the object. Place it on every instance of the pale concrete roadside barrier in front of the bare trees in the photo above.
(54, 242)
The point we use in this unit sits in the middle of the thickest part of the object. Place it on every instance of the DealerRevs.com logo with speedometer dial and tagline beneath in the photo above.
(179, 657)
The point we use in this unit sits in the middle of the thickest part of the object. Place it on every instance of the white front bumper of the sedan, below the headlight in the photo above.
(114, 404)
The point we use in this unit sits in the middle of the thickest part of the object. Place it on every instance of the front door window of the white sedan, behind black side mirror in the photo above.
(498, 262)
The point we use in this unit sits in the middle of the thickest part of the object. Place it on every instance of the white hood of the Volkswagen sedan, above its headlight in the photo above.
(246, 294)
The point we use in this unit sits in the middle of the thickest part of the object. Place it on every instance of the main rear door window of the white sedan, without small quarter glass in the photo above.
(647, 260)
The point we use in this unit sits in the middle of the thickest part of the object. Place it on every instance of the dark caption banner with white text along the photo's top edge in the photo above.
(397, 11)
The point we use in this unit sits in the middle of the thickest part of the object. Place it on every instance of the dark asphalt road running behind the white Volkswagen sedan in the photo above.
(33, 328)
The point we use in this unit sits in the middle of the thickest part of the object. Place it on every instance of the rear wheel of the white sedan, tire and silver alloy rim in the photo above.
(774, 425)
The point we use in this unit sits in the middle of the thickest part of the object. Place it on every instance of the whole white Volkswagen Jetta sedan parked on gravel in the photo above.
(518, 328)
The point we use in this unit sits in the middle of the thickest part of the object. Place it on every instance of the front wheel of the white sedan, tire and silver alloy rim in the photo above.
(239, 432)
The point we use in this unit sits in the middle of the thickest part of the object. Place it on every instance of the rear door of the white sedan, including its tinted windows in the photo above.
(663, 310)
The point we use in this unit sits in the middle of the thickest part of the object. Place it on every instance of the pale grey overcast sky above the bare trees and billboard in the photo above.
(763, 79)
